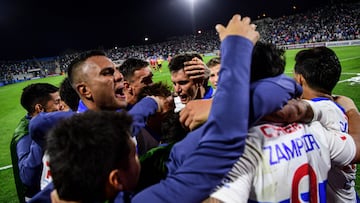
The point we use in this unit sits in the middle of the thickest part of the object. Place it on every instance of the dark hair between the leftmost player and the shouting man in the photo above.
(68, 94)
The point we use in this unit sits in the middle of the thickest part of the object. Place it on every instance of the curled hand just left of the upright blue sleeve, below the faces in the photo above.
(195, 113)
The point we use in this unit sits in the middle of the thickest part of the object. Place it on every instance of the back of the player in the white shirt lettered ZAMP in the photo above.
(296, 161)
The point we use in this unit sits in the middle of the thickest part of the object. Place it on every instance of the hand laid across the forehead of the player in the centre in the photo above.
(196, 69)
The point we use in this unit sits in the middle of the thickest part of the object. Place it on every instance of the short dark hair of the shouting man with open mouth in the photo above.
(76, 63)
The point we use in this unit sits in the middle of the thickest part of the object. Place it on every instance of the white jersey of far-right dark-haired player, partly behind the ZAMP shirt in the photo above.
(341, 181)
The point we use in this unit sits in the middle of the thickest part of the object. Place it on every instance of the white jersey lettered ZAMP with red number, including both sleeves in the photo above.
(286, 164)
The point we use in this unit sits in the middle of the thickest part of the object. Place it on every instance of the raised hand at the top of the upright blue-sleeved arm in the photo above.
(239, 27)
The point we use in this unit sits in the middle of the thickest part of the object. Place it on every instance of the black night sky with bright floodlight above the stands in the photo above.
(38, 28)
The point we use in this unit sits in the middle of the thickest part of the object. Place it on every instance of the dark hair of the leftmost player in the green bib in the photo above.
(37, 93)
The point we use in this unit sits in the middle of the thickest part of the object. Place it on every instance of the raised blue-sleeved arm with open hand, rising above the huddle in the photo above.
(222, 143)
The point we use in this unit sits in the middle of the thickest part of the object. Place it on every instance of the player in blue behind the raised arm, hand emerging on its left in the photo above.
(267, 69)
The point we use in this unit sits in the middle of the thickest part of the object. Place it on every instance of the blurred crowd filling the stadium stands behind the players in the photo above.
(335, 22)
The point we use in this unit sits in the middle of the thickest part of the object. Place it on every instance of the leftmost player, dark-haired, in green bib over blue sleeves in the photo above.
(35, 98)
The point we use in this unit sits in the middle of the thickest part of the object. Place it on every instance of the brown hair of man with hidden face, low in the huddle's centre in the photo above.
(155, 89)
